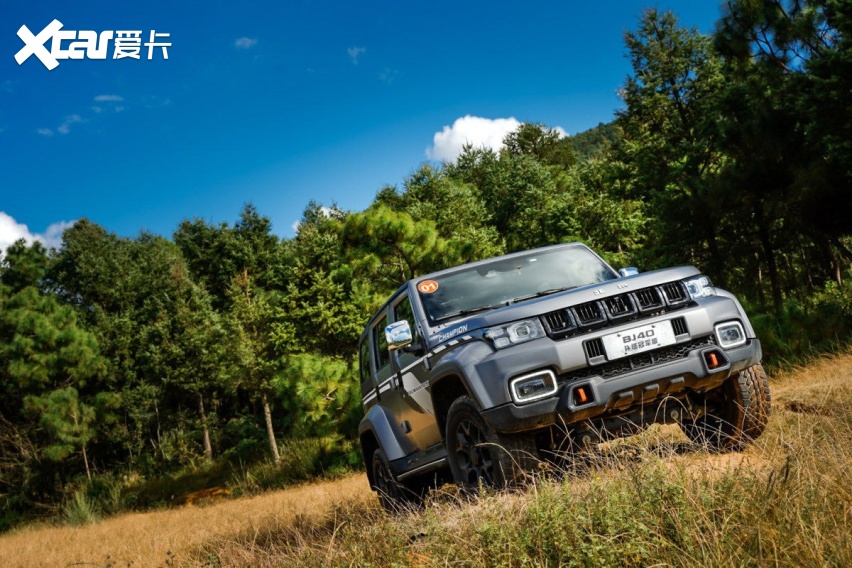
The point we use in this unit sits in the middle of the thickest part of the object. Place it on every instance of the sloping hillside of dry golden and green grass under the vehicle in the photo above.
(649, 500)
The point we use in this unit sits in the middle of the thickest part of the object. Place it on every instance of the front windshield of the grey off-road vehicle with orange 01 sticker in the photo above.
(507, 281)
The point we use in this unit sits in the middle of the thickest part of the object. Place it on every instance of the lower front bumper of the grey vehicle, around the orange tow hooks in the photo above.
(609, 397)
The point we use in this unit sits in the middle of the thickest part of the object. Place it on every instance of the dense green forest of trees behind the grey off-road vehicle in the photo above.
(124, 360)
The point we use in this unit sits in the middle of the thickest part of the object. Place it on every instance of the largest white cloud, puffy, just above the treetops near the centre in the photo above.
(477, 131)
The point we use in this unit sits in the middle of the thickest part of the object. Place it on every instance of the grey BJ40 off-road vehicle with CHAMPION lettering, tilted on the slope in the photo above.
(486, 368)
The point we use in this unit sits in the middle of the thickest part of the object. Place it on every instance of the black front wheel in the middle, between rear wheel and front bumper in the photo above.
(479, 455)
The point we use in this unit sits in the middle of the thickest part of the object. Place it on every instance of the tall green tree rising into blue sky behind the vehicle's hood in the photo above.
(669, 131)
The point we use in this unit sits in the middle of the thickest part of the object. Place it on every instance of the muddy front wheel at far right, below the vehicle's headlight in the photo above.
(738, 413)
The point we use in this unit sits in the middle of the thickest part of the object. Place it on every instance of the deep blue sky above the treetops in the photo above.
(278, 103)
